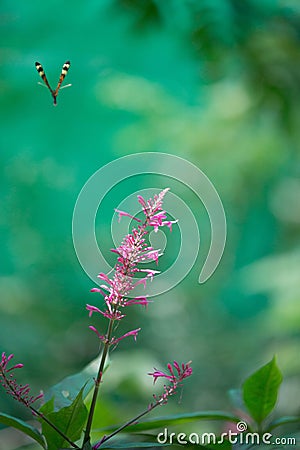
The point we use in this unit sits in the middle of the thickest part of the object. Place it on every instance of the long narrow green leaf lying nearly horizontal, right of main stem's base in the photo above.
(164, 421)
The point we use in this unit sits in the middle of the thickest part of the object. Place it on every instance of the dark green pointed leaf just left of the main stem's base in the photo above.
(69, 420)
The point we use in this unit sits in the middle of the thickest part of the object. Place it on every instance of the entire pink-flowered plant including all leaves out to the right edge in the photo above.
(66, 420)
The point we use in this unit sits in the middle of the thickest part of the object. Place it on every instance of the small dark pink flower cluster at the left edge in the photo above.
(8, 381)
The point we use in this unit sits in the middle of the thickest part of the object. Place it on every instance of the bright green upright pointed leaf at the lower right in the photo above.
(260, 390)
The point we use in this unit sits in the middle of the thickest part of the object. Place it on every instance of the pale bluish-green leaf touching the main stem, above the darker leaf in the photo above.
(67, 390)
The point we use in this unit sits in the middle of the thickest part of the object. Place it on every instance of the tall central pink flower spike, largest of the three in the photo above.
(133, 250)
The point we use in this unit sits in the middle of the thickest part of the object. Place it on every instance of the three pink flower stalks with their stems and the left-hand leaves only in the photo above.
(70, 425)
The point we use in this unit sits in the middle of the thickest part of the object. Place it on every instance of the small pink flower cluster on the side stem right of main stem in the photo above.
(174, 379)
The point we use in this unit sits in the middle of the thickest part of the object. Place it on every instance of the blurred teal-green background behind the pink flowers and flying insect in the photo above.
(214, 82)
